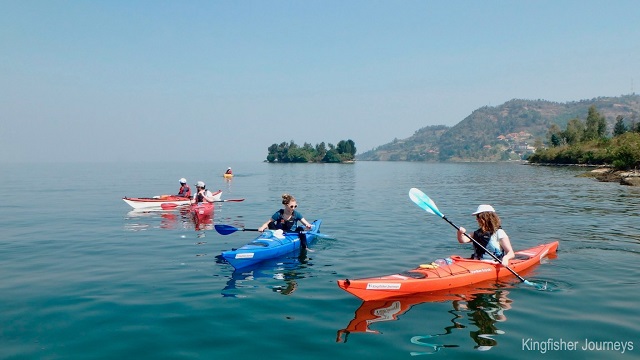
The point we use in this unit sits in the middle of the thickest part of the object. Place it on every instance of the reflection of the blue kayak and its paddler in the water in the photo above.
(281, 275)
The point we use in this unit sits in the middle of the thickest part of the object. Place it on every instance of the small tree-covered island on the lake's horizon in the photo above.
(291, 152)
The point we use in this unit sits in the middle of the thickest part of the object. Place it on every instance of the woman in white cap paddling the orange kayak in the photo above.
(490, 235)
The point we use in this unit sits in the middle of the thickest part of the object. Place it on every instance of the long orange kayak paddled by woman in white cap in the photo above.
(455, 272)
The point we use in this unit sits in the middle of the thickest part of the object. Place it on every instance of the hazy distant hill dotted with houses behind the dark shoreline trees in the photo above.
(505, 132)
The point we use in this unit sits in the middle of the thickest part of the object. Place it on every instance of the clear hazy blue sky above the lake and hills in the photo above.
(222, 80)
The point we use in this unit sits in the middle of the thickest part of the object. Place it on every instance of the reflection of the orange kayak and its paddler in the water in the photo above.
(482, 306)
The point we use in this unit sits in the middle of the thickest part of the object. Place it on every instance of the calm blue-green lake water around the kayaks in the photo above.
(84, 277)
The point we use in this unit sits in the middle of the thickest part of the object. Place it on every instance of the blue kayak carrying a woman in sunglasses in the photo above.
(270, 244)
